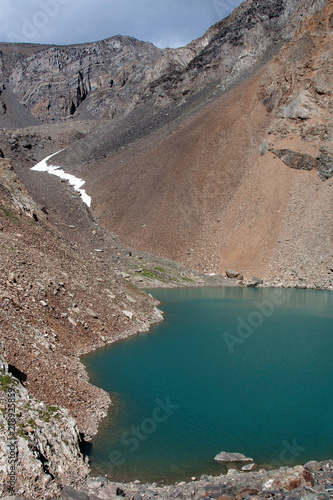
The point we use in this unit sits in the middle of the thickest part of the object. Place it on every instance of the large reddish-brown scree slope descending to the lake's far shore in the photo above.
(199, 190)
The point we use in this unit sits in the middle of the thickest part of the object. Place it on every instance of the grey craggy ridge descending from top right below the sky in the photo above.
(234, 47)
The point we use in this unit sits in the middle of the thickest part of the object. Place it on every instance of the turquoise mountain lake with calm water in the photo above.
(230, 369)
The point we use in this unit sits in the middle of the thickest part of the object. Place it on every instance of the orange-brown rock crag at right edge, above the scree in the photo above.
(297, 92)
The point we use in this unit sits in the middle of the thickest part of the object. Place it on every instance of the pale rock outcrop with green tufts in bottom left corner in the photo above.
(44, 441)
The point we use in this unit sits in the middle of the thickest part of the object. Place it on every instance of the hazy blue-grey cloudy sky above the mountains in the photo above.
(165, 23)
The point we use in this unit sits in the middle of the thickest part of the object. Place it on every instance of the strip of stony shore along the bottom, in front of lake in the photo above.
(313, 481)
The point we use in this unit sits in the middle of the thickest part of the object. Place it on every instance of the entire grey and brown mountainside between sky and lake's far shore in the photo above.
(179, 171)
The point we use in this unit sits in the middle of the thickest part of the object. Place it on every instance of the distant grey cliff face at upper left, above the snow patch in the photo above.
(56, 82)
